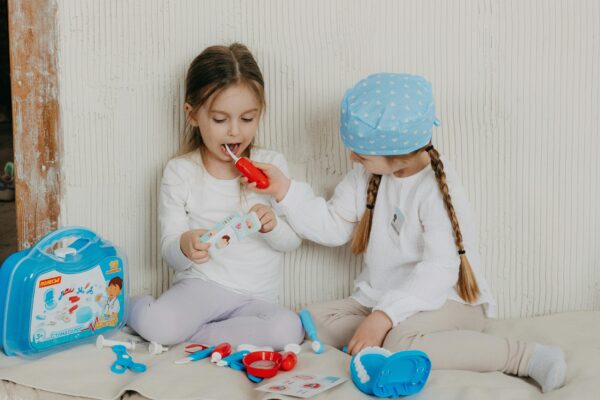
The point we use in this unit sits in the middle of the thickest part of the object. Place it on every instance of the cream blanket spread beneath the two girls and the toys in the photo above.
(85, 371)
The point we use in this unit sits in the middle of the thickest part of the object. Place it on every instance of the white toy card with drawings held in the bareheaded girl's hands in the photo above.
(230, 230)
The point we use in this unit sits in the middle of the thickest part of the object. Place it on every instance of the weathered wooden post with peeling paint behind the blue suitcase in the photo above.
(33, 59)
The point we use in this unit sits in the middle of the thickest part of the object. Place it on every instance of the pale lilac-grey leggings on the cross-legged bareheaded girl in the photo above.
(195, 310)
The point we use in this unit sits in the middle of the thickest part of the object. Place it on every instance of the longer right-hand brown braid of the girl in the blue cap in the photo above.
(467, 284)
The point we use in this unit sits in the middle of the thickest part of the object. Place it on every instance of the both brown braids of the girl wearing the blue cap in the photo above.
(467, 284)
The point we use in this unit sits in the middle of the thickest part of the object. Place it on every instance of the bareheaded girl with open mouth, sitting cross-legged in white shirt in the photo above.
(229, 295)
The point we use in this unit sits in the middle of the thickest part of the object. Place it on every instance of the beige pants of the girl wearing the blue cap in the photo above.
(452, 336)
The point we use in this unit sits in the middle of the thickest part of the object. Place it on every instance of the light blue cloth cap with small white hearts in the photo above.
(388, 114)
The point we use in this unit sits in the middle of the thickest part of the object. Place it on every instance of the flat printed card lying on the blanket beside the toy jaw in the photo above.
(302, 385)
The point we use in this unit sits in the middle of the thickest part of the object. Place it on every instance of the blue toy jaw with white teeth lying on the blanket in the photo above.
(377, 372)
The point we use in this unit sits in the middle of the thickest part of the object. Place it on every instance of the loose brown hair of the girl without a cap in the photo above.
(212, 71)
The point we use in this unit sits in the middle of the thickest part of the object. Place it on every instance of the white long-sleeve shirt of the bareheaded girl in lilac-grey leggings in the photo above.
(191, 198)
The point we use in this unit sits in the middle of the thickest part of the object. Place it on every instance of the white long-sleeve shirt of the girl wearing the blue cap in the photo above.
(411, 263)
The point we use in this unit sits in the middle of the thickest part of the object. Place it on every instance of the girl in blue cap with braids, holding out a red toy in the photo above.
(404, 209)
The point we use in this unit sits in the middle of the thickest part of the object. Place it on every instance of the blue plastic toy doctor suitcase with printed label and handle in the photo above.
(53, 298)
